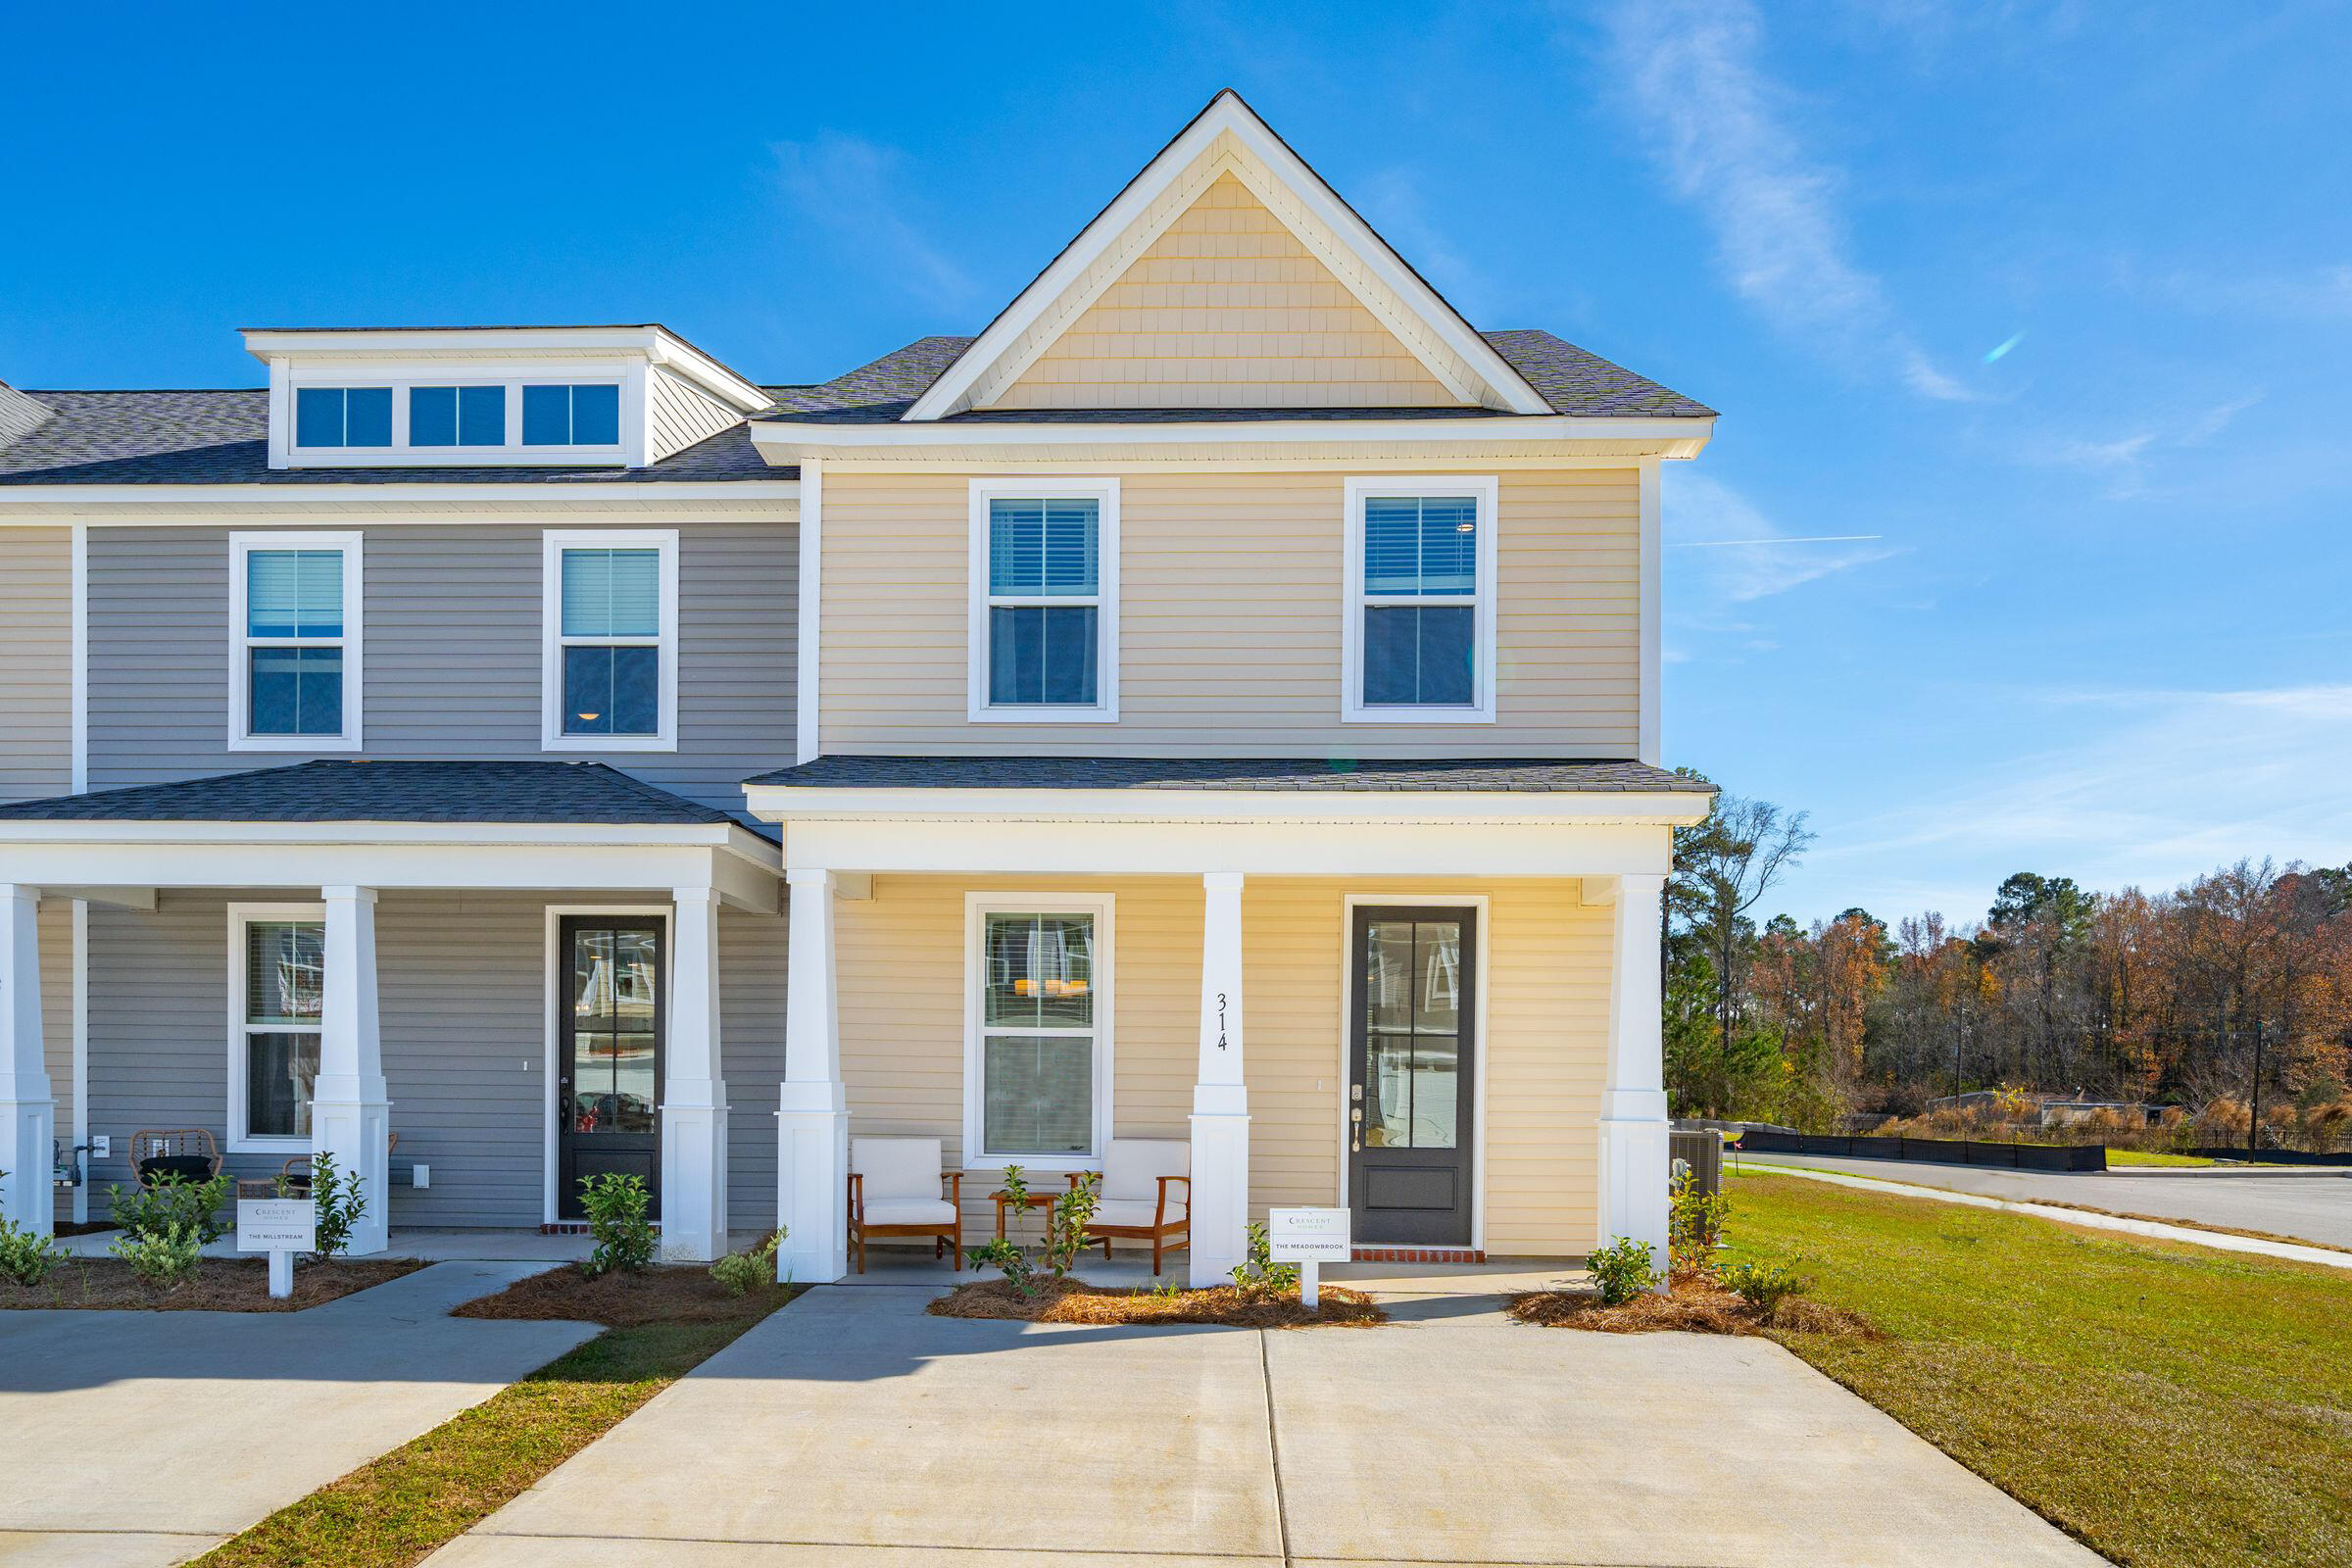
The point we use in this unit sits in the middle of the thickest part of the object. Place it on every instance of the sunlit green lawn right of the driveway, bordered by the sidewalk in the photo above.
(2170, 1405)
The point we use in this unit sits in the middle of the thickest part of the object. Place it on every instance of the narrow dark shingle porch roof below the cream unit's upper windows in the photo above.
(1485, 775)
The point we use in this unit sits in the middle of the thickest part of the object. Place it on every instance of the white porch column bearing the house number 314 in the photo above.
(1220, 1097)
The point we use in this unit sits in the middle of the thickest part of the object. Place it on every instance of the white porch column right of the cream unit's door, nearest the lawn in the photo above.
(1633, 1146)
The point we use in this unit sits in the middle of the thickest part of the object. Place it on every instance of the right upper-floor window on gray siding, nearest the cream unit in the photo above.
(610, 655)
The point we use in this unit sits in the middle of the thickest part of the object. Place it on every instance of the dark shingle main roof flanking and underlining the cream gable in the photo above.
(1568, 377)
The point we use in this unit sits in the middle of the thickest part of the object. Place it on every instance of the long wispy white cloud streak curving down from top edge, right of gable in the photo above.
(1718, 126)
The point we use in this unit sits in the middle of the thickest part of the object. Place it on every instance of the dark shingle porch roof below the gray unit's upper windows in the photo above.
(387, 793)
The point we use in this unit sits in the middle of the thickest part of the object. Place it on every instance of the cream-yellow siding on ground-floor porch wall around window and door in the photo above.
(902, 1000)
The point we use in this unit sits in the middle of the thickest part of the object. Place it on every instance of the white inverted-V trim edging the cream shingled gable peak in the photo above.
(1229, 138)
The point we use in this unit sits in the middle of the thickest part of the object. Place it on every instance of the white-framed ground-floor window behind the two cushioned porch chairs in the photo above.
(1038, 1043)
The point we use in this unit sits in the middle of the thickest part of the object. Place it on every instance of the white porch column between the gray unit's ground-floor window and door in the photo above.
(349, 1108)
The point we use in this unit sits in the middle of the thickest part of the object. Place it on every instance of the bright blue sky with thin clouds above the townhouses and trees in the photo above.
(2094, 622)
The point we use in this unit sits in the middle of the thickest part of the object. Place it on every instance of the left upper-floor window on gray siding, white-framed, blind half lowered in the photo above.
(295, 643)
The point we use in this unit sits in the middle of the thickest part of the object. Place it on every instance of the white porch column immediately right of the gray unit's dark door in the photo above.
(693, 1092)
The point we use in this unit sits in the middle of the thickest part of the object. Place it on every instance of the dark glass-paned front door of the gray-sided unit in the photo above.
(608, 1050)
